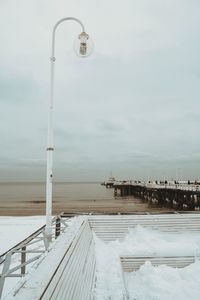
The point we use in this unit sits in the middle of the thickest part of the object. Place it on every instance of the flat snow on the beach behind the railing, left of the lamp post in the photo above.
(14, 229)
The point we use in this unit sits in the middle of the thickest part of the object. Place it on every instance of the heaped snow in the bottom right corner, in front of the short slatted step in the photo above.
(164, 283)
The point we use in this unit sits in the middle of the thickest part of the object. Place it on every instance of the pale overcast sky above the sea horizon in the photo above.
(132, 108)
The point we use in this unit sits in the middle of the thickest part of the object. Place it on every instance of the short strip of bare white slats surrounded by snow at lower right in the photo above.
(133, 263)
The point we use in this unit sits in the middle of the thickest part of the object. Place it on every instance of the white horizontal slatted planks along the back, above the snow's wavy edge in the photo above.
(110, 228)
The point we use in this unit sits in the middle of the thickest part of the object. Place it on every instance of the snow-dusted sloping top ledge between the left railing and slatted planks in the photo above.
(40, 273)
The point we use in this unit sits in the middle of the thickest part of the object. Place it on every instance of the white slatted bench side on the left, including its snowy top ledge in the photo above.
(67, 271)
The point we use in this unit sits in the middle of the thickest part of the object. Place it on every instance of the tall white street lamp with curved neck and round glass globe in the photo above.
(83, 48)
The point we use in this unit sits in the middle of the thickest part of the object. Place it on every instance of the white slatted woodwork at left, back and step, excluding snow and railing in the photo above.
(68, 270)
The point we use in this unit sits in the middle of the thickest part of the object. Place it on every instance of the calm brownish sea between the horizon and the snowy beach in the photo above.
(20, 199)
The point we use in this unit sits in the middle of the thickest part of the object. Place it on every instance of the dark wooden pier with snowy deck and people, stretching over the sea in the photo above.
(169, 194)
